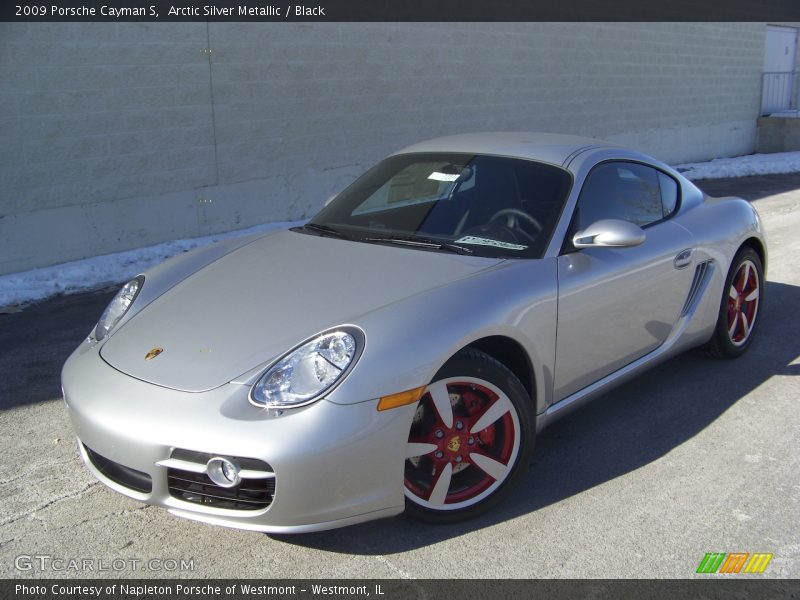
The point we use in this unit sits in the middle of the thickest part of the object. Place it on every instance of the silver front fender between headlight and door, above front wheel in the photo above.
(408, 342)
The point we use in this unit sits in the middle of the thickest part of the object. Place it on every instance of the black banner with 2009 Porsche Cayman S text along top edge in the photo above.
(400, 10)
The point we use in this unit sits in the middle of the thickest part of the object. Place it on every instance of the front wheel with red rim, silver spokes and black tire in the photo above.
(476, 387)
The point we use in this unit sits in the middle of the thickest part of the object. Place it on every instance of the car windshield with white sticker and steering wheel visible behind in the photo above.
(474, 204)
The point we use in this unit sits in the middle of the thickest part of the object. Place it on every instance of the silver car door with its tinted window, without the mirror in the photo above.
(617, 304)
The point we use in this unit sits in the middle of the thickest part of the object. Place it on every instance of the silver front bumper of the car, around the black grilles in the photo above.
(333, 464)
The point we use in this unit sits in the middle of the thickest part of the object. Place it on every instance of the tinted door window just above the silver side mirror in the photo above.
(621, 190)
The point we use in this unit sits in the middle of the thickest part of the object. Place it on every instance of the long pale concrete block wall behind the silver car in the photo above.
(122, 135)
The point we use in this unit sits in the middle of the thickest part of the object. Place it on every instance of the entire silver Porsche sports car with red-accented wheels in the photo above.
(401, 350)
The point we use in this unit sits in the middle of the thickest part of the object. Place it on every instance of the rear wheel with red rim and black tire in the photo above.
(734, 332)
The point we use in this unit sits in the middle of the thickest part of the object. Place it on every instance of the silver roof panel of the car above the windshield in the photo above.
(548, 147)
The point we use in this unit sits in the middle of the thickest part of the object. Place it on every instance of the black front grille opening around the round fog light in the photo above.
(196, 487)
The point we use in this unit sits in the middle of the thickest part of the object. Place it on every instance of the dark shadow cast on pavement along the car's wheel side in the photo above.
(620, 432)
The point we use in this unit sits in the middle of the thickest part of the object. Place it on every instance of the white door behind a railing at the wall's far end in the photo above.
(779, 66)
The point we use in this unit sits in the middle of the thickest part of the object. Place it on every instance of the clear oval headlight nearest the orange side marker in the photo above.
(310, 370)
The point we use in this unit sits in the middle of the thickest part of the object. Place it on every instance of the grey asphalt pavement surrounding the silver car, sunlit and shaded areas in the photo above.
(698, 455)
